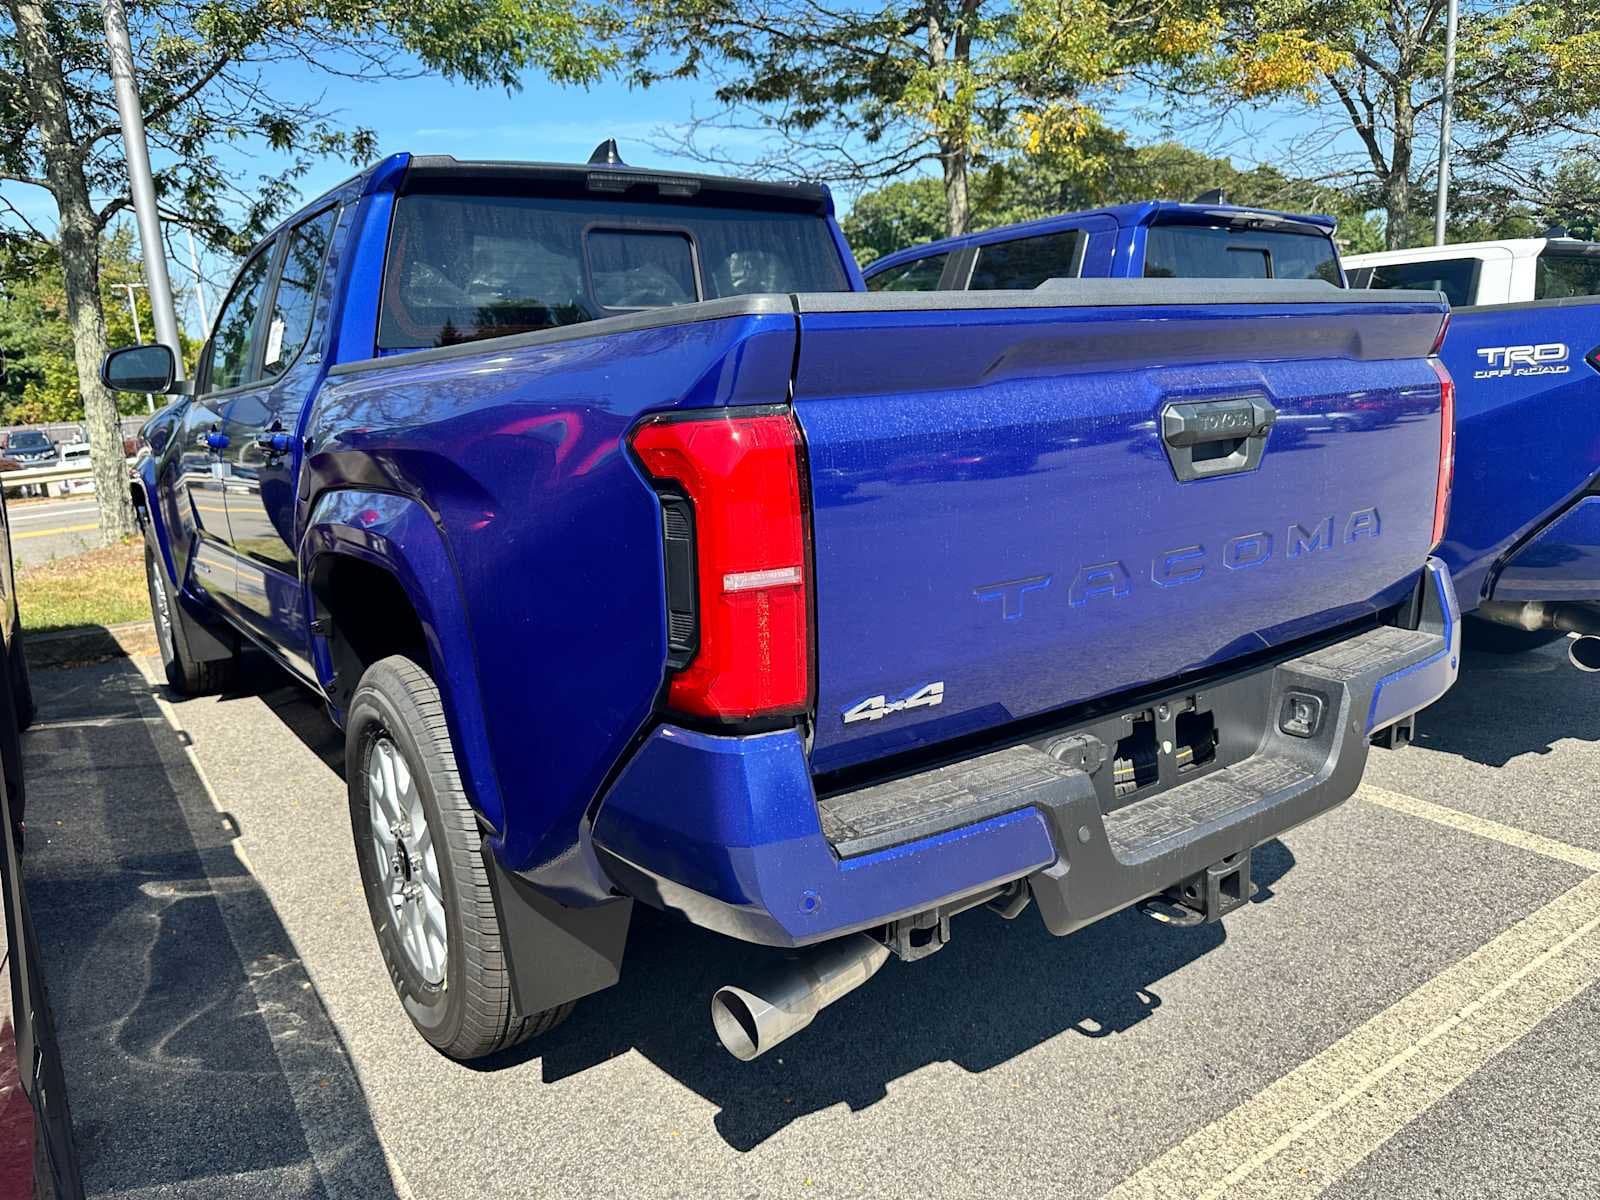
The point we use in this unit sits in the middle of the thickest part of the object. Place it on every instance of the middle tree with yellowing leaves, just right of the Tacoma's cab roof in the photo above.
(866, 95)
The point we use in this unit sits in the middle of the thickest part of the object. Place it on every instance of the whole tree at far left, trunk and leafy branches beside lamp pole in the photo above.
(201, 90)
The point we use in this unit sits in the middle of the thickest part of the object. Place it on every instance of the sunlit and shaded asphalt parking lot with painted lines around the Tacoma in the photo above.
(1407, 1010)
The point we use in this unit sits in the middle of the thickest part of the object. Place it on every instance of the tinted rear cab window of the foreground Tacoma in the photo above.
(481, 266)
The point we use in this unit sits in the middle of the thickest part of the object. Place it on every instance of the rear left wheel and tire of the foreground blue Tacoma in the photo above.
(428, 890)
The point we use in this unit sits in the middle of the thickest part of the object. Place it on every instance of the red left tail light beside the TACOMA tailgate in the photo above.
(738, 594)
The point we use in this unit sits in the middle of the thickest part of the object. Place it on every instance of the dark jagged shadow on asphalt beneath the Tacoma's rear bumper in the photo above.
(994, 993)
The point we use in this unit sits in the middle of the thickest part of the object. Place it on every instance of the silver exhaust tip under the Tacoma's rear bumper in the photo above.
(750, 1022)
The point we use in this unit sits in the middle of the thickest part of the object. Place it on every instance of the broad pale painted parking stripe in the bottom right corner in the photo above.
(1302, 1134)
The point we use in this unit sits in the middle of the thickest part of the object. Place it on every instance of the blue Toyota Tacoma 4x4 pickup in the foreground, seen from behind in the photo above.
(646, 556)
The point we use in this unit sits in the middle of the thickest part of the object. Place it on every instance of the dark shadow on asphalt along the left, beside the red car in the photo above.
(198, 1054)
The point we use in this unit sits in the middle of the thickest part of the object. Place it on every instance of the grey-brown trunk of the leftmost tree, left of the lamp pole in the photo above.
(79, 246)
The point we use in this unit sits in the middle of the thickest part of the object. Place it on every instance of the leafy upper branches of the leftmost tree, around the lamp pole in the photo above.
(199, 68)
